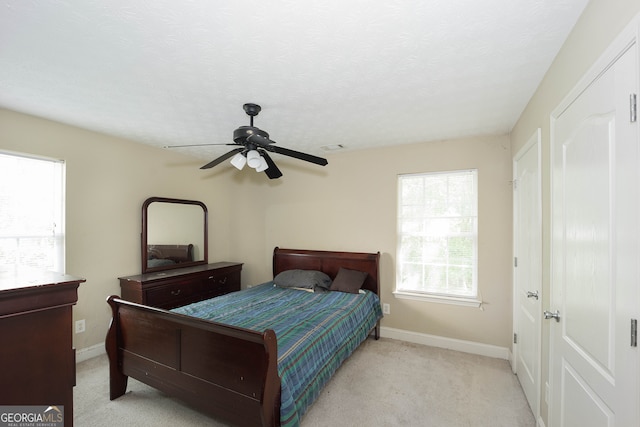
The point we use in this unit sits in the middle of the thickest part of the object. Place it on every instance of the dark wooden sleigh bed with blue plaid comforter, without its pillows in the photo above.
(239, 357)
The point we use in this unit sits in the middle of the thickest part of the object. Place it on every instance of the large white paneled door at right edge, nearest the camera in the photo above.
(595, 253)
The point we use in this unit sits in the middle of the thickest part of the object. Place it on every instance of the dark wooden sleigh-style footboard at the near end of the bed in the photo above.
(225, 371)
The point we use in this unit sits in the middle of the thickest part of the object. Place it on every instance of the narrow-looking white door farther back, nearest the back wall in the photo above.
(528, 269)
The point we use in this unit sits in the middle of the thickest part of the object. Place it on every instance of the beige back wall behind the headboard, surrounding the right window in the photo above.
(351, 205)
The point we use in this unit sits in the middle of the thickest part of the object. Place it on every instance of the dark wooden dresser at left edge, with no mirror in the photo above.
(37, 359)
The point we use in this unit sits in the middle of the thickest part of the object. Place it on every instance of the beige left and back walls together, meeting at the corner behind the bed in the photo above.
(348, 205)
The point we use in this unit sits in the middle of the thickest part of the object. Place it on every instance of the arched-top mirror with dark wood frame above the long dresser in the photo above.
(174, 234)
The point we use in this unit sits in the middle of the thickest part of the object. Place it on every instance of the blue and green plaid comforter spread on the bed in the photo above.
(316, 332)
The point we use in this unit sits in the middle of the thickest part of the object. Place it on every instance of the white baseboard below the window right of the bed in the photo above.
(448, 343)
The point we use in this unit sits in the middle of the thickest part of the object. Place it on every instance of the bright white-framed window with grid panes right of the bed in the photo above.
(438, 236)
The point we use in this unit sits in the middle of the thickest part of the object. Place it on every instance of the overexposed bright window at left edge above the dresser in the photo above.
(31, 212)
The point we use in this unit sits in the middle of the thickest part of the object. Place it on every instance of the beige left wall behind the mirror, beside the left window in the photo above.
(107, 180)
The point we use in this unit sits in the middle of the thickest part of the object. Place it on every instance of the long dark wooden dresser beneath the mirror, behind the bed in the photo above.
(181, 286)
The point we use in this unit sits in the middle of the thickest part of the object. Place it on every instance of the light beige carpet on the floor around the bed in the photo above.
(384, 383)
